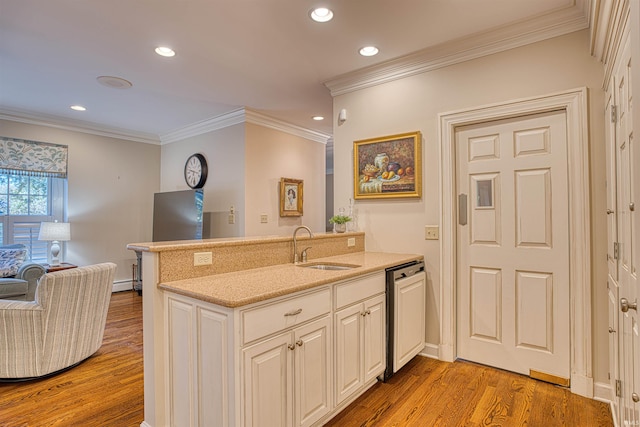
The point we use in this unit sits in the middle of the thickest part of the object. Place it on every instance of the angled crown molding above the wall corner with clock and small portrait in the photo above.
(239, 116)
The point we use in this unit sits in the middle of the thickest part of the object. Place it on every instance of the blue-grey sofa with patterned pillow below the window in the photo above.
(18, 277)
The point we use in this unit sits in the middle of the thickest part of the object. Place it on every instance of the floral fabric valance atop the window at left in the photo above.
(21, 157)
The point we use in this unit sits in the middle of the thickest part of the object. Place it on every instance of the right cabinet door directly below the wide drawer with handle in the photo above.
(312, 372)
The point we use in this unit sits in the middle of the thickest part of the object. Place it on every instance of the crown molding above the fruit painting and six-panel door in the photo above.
(562, 21)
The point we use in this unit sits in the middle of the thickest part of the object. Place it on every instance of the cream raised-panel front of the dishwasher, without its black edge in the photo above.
(409, 318)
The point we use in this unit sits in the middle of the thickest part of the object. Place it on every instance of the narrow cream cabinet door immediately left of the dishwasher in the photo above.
(374, 337)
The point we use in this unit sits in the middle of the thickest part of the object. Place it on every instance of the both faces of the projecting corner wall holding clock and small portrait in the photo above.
(246, 162)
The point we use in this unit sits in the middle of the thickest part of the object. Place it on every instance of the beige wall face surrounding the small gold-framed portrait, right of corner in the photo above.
(271, 155)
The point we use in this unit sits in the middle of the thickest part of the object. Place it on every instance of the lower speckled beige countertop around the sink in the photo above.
(244, 287)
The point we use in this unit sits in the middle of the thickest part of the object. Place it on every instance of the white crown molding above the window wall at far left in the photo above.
(77, 126)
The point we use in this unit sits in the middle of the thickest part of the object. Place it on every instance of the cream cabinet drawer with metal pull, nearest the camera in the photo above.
(270, 318)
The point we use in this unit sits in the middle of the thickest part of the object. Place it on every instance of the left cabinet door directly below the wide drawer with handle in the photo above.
(268, 382)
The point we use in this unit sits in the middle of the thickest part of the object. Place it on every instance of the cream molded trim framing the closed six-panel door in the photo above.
(574, 102)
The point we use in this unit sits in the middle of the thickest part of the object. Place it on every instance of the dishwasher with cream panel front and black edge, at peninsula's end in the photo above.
(406, 302)
